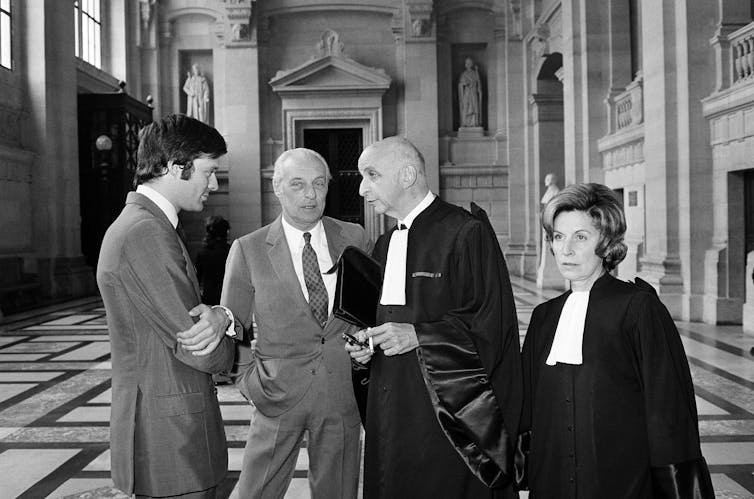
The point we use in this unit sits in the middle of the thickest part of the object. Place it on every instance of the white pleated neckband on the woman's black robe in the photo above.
(569, 335)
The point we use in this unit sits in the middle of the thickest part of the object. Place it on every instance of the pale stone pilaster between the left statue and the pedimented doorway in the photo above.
(237, 81)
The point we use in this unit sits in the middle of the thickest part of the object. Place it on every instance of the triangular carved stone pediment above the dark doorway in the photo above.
(330, 73)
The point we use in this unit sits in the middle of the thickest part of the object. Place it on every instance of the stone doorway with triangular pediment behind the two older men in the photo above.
(333, 104)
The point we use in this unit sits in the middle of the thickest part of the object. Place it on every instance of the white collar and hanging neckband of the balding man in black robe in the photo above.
(394, 283)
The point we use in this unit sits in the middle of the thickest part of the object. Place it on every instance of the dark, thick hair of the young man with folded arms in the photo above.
(178, 138)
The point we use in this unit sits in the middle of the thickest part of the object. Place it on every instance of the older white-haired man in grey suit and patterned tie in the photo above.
(299, 380)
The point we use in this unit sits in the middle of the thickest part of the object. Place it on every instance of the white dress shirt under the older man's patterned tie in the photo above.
(295, 239)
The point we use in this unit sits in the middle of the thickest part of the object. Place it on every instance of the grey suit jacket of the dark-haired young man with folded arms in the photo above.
(166, 431)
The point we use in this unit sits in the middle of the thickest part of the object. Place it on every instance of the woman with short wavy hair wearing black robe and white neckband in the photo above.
(608, 400)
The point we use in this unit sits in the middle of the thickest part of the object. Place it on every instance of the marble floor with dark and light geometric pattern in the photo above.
(55, 403)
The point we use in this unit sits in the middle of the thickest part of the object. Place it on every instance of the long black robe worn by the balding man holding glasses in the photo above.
(443, 418)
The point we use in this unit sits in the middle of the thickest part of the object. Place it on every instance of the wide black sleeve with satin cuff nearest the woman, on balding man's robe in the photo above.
(470, 358)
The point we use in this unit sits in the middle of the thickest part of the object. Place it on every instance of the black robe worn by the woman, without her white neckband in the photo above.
(624, 423)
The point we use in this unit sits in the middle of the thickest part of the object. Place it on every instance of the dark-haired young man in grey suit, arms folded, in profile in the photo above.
(166, 432)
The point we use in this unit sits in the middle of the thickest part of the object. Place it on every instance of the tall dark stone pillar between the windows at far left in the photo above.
(48, 42)
